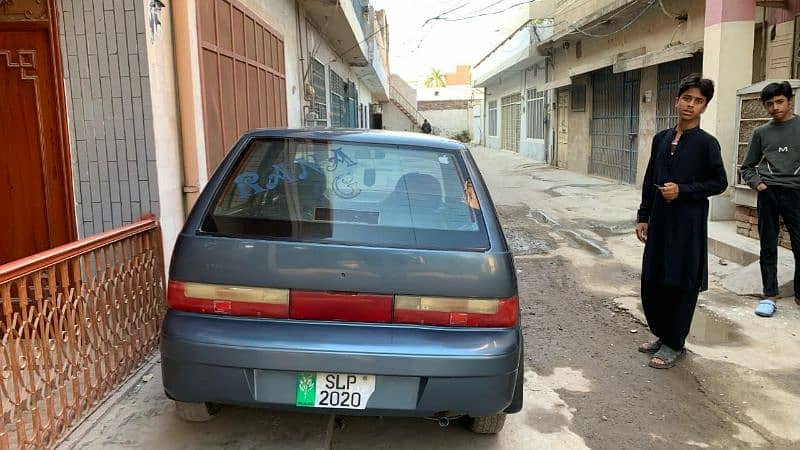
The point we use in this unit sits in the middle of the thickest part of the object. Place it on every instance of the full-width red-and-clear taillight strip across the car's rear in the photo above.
(341, 306)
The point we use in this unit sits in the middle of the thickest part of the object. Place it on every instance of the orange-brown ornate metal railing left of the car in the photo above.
(76, 321)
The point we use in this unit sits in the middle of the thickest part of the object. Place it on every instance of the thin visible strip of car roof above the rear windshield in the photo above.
(360, 136)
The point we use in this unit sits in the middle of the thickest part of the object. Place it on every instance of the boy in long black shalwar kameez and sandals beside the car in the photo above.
(685, 169)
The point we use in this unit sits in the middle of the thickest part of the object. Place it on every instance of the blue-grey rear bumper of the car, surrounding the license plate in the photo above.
(420, 371)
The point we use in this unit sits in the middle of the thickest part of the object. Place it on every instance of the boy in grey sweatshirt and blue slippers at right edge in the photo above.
(772, 166)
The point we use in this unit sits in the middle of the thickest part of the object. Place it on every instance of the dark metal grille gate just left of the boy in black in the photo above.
(615, 125)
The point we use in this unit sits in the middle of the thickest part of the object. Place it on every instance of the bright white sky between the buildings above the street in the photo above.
(414, 50)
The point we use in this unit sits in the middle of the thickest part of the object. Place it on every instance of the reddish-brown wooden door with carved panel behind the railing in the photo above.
(35, 193)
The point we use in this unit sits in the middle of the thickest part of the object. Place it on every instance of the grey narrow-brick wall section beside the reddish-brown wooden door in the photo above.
(104, 50)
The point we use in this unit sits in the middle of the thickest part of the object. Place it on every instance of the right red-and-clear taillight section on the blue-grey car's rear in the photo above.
(460, 312)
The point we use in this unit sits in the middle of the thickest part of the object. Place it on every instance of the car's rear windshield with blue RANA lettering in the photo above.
(367, 194)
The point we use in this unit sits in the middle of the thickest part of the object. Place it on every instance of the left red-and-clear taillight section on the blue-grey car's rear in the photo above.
(230, 300)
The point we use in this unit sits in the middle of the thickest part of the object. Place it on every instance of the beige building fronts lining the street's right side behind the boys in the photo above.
(612, 73)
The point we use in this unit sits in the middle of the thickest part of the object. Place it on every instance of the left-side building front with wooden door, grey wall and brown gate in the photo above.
(125, 108)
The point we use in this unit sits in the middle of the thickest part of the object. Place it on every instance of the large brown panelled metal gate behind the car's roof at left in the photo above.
(243, 75)
